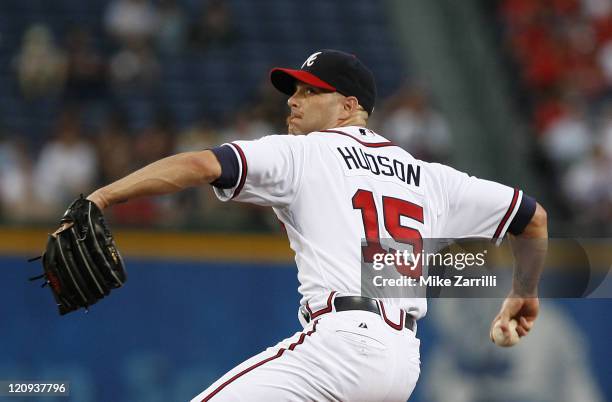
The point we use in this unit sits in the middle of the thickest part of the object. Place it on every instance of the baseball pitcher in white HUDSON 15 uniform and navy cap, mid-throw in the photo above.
(339, 188)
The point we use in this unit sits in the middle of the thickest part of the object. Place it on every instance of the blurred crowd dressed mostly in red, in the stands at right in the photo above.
(563, 51)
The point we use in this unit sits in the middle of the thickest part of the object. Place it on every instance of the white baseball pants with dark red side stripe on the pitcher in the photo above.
(348, 356)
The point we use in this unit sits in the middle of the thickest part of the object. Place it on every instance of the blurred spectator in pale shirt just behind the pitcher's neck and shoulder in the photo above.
(414, 125)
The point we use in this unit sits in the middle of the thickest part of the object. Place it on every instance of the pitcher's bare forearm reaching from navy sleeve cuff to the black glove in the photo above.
(165, 176)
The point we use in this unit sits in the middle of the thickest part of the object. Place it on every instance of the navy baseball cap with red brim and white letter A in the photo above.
(332, 70)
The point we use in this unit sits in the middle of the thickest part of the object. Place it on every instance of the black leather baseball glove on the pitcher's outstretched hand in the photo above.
(81, 261)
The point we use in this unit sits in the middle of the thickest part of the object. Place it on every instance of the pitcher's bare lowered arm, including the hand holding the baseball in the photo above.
(522, 304)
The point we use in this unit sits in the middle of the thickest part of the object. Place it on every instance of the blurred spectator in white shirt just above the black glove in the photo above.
(66, 165)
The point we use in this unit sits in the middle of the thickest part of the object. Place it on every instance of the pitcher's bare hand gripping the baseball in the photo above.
(523, 309)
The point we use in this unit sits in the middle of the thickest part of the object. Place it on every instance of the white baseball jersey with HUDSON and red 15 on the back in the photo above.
(334, 188)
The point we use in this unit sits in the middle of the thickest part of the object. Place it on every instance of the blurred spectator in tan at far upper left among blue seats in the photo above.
(41, 65)
